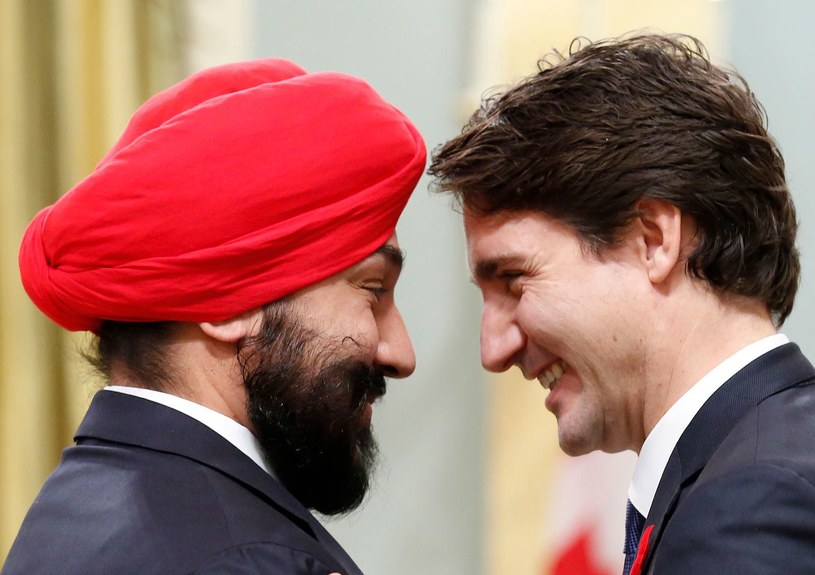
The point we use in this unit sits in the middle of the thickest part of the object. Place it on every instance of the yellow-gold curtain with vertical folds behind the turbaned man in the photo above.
(72, 73)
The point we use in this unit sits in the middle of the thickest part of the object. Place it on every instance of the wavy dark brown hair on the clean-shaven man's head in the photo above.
(645, 116)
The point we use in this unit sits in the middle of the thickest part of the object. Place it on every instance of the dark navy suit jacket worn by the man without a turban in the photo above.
(738, 493)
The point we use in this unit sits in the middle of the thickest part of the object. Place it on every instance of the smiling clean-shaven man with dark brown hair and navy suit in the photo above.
(629, 226)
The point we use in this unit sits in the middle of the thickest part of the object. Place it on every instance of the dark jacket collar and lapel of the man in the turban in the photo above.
(136, 421)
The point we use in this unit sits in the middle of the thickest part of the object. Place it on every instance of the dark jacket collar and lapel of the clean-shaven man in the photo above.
(775, 371)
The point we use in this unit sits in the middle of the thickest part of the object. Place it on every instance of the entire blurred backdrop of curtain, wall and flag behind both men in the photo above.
(472, 480)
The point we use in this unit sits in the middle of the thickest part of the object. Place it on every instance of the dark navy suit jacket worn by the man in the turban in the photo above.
(149, 490)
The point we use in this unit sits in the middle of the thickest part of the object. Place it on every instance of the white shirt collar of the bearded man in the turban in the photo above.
(226, 427)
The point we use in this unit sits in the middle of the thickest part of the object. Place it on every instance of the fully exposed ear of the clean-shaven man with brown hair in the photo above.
(658, 227)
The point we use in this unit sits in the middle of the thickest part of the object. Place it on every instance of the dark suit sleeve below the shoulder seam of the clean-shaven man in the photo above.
(752, 521)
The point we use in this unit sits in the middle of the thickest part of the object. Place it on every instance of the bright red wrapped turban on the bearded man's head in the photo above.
(236, 187)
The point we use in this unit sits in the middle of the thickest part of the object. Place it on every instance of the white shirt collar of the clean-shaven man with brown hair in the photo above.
(660, 443)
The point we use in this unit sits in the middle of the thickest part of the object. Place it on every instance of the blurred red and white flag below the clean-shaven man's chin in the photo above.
(586, 515)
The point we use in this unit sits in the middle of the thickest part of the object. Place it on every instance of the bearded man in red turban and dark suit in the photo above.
(235, 255)
